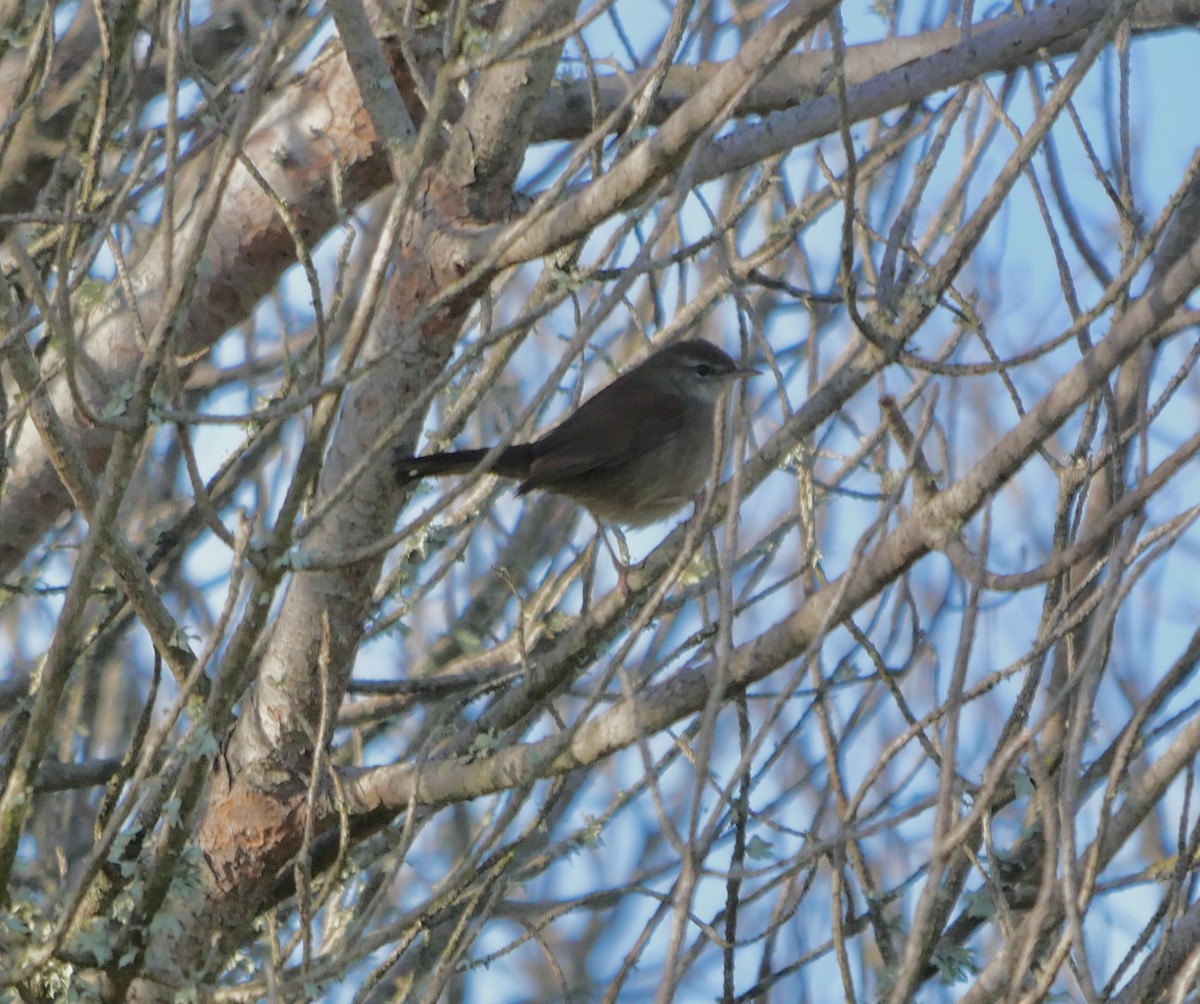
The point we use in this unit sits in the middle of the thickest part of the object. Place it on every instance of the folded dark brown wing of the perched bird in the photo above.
(601, 436)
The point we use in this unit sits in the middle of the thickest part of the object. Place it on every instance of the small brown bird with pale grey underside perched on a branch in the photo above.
(633, 454)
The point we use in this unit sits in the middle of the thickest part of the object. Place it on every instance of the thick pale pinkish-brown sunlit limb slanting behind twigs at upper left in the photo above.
(315, 127)
